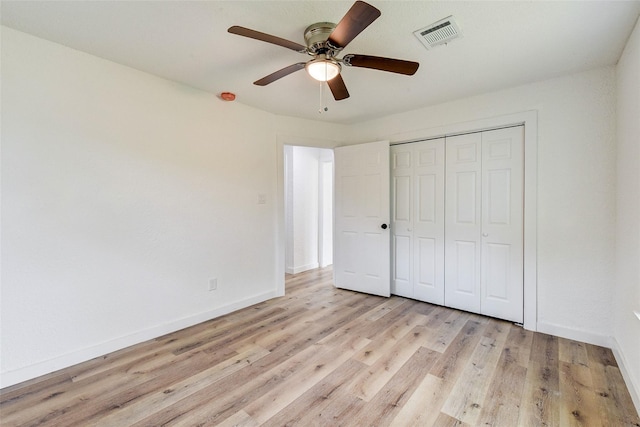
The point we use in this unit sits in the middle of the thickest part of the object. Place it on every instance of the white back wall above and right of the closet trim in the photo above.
(576, 189)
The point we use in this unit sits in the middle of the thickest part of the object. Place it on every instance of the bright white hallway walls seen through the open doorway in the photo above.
(308, 194)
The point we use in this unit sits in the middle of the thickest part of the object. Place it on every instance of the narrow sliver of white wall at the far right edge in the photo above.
(626, 297)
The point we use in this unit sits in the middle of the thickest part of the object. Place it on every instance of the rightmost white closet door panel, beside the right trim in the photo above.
(502, 279)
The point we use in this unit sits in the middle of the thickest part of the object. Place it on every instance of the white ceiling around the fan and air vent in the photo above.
(504, 44)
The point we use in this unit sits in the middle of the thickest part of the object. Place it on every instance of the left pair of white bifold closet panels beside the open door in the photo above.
(417, 194)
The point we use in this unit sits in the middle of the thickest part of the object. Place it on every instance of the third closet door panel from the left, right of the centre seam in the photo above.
(463, 222)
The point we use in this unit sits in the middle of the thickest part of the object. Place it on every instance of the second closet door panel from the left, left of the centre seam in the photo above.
(428, 221)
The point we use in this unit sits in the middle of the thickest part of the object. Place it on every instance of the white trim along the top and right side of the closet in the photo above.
(530, 121)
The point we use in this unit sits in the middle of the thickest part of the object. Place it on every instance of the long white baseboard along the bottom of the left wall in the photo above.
(26, 373)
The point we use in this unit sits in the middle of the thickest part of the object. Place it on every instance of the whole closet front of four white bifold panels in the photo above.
(457, 222)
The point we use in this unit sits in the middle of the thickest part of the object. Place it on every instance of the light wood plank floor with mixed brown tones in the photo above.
(323, 356)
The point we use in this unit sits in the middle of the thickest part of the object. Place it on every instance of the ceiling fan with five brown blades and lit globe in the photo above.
(325, 41)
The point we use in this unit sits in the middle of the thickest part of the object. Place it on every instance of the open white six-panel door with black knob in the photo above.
(361, 254)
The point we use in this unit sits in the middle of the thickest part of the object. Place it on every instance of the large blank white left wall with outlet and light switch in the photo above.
(123, 193)
